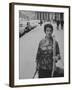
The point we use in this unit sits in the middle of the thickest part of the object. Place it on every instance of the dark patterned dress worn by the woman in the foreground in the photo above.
(44, 57)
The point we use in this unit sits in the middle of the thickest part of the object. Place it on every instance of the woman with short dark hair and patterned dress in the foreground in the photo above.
(44, 58)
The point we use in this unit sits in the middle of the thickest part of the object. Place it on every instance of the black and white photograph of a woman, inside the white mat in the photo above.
(41, 52)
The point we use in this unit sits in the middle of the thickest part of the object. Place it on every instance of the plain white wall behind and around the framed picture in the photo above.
(4, 43)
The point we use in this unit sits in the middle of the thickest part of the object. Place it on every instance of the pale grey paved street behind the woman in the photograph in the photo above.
(28, 49)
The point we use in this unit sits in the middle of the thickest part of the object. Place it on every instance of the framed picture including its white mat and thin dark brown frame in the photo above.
(41, 44)
